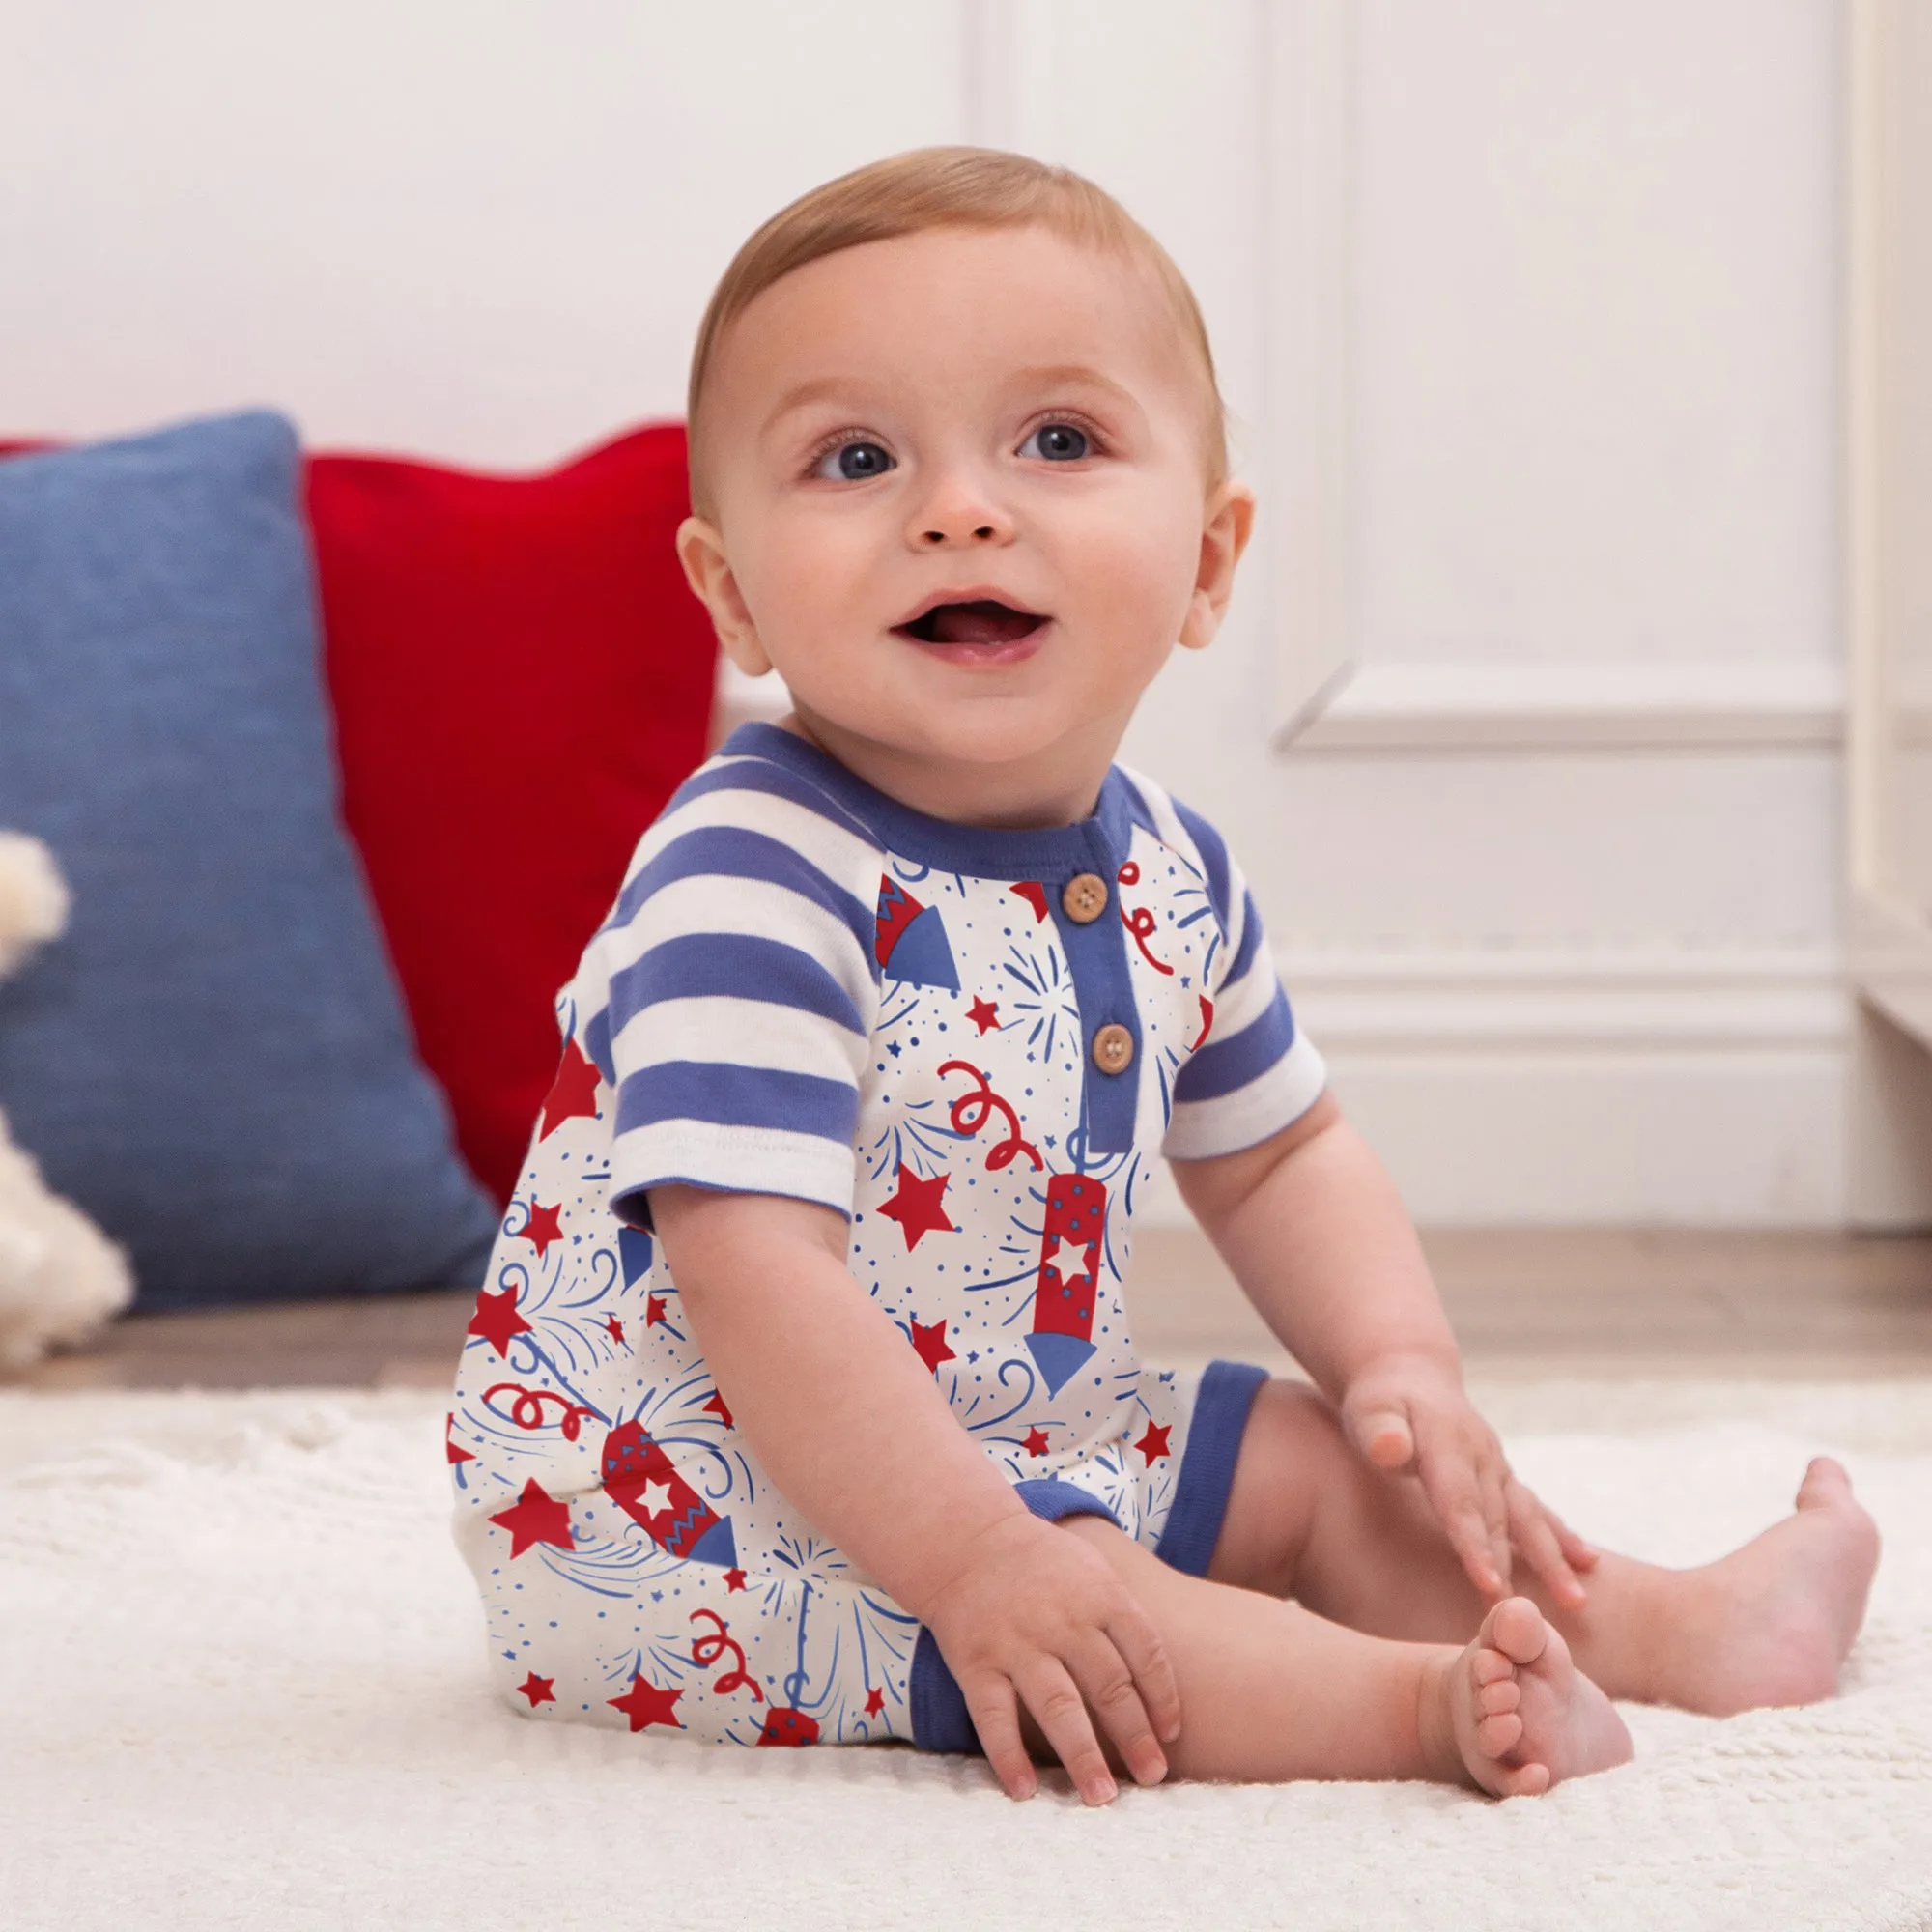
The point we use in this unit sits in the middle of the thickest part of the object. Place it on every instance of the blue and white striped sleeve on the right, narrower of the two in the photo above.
(1255, 1071)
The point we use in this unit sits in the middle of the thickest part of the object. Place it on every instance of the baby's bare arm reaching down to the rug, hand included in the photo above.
(853, 1429)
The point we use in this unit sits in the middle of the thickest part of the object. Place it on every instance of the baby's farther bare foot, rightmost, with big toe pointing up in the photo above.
(1773, 1622)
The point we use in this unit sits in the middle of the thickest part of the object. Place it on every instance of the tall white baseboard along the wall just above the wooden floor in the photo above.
(1624, 1091)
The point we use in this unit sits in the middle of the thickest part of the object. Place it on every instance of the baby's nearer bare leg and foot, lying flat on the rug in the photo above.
(1270, 1691)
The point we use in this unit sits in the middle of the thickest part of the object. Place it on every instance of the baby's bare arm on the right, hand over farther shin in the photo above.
(1319, 1239)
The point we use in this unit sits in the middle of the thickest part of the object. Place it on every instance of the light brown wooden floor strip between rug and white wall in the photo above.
(1525, 1305)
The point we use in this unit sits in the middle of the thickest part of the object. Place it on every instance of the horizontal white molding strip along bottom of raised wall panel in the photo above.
(1763, 706)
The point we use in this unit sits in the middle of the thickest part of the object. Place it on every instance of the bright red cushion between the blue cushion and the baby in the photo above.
(521, 681)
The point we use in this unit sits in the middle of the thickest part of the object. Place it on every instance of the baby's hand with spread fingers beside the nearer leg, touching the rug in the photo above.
(1037, 1618)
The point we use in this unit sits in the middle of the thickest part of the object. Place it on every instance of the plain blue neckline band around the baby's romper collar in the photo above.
(1050, 853)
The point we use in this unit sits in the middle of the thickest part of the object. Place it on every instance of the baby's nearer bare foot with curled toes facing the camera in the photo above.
(1521, 1715)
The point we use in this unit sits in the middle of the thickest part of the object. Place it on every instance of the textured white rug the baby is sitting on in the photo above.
(241, 1686)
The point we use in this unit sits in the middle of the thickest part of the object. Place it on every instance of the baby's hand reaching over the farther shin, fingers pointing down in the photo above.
(1409, 1413)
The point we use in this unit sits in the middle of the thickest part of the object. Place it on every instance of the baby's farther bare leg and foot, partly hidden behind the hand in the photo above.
(1769, 1624)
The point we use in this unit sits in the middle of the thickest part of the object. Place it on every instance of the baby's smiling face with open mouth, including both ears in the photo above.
(961, 503)
